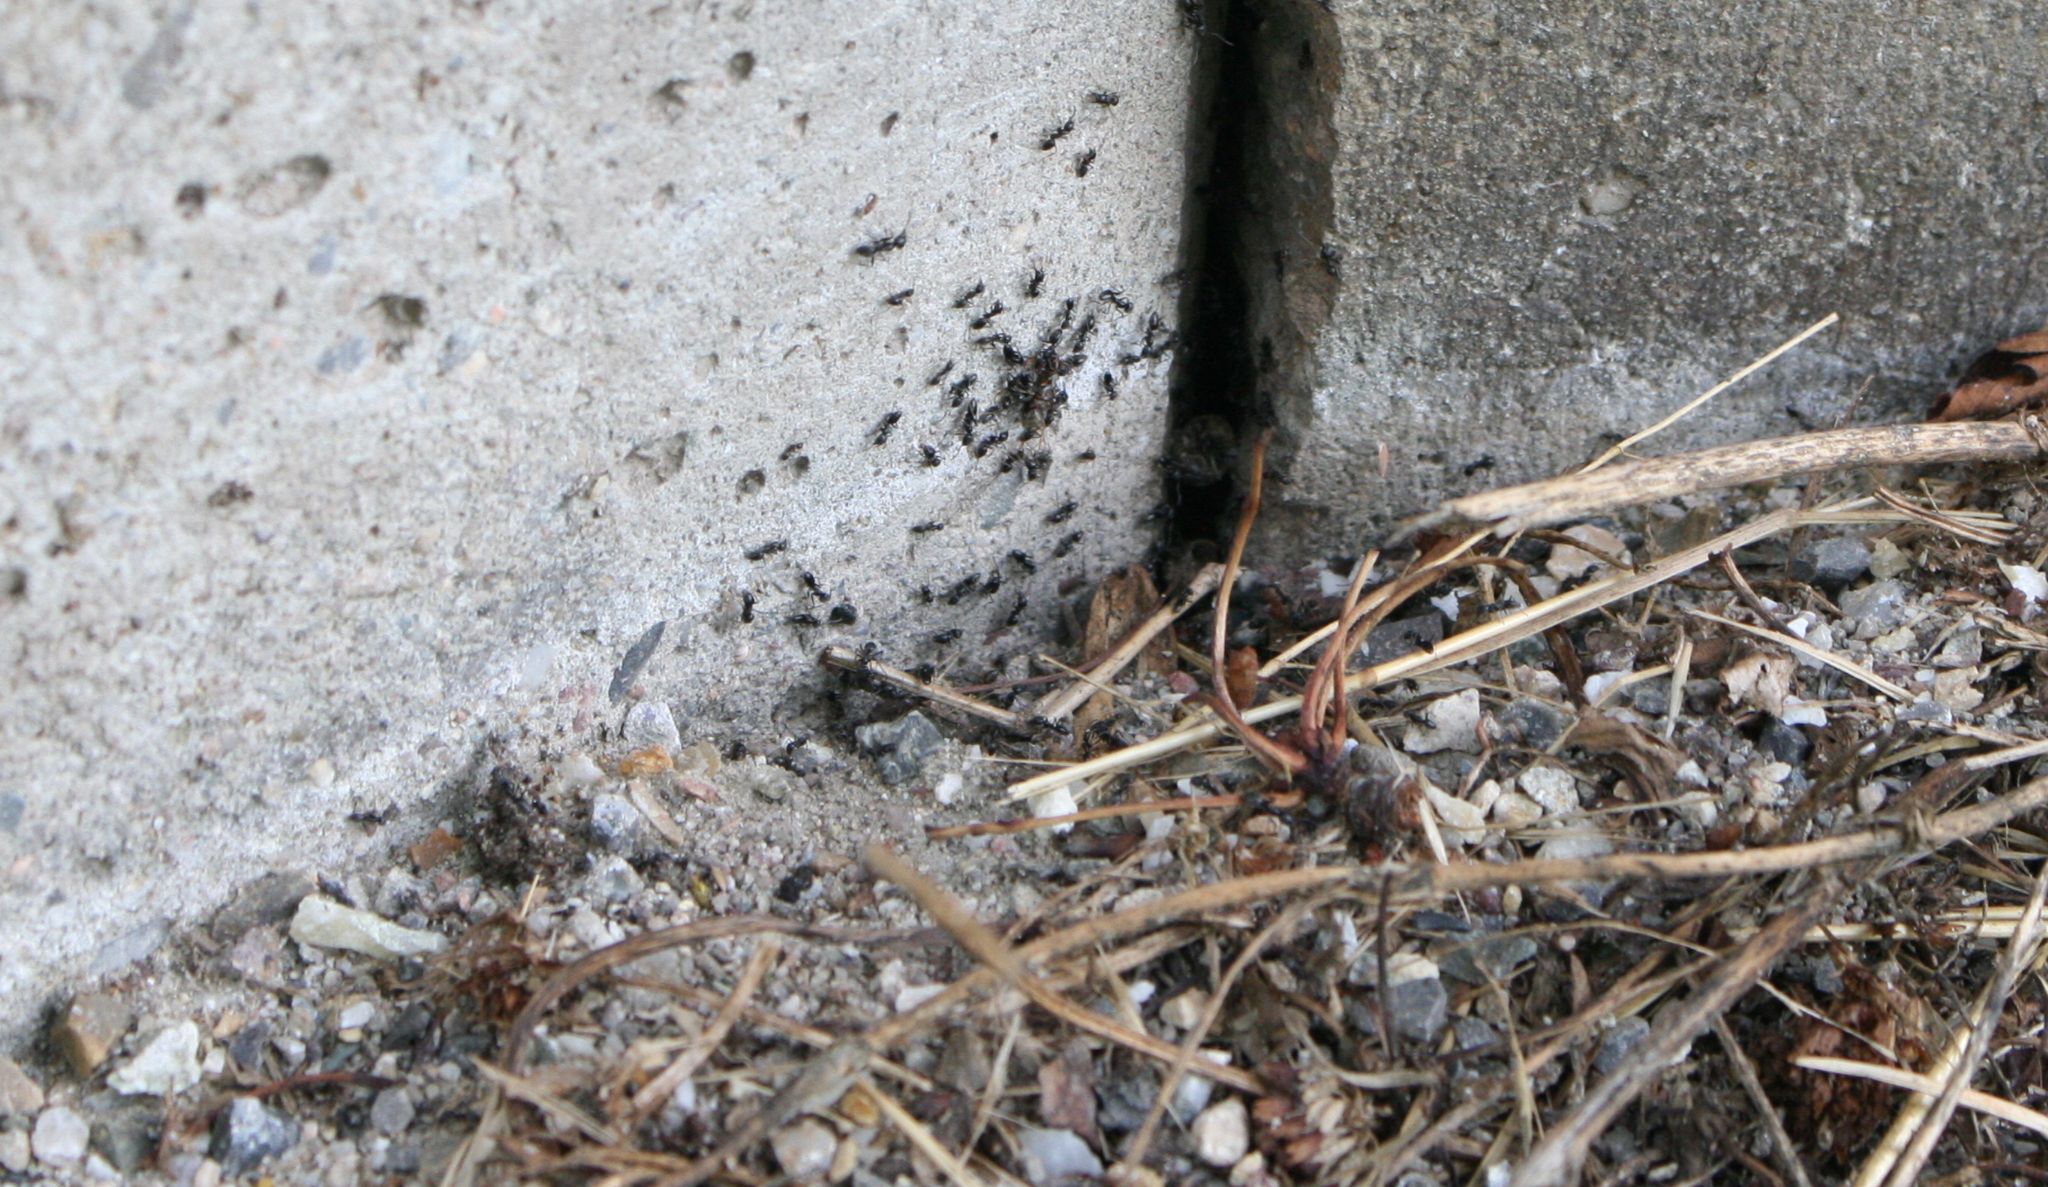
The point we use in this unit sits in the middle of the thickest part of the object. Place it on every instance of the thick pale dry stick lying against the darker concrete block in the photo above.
(1623, 486)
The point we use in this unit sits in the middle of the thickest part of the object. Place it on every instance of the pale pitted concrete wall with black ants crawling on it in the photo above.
(374, 384)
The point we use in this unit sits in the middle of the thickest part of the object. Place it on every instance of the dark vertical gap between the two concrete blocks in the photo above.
(1254, 204)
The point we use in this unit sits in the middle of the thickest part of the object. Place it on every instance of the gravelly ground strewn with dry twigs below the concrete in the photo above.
(1639, 852)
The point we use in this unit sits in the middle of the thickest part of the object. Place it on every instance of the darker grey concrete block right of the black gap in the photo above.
(1496, 236)
